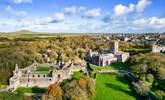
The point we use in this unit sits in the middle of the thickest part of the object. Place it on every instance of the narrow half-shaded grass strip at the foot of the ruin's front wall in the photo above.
(30, 90)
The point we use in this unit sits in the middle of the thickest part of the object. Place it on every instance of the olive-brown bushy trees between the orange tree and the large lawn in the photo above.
(81, 89)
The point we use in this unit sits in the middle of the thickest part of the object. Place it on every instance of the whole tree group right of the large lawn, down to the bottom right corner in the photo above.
(150, 70)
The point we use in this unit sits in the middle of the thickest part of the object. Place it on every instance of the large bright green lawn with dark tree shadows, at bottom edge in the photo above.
(113, 87)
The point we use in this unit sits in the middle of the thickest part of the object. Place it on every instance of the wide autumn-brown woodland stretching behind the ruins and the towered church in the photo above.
(71, 47)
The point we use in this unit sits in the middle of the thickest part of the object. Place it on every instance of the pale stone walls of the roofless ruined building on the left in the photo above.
(28, 77)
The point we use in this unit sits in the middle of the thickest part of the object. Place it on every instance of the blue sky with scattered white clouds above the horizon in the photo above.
(83, 16)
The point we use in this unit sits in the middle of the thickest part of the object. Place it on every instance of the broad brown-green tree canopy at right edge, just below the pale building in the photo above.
(150, 63)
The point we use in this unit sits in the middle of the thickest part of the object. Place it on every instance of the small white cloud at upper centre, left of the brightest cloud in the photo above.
(92, 13)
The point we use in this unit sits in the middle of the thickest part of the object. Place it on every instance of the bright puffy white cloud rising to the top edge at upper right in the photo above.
(139, 7)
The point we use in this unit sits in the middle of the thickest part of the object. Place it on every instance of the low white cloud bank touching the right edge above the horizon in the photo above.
(152, 22)
